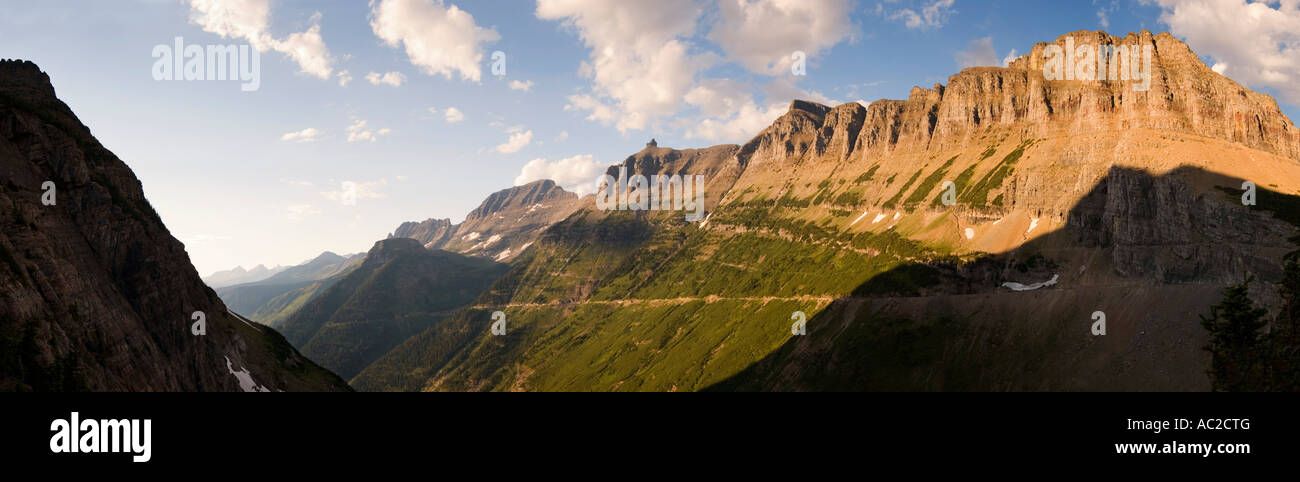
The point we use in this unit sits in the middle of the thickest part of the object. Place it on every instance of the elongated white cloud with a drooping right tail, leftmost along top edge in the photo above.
(249, 20)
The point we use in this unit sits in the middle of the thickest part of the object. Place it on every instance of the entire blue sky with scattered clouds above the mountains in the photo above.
(371, 114)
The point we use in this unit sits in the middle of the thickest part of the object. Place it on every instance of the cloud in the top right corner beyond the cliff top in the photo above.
(1259, 42)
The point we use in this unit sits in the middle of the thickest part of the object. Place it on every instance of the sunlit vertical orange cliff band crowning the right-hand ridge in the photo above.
(1185, 97)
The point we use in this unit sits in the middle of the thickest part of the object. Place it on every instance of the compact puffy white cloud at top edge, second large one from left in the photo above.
(441, 40)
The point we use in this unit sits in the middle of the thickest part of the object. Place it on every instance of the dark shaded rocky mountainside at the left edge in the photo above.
(96, 294)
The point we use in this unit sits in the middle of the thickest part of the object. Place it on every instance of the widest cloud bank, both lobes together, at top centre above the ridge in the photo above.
(648, 72)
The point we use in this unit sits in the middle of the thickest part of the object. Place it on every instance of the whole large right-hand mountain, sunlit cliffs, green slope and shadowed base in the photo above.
(1073, 201)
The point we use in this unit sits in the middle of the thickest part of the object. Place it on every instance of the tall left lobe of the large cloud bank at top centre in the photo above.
(642, 63)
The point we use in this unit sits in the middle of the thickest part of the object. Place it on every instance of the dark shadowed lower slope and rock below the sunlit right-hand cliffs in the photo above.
(1147, 253)
